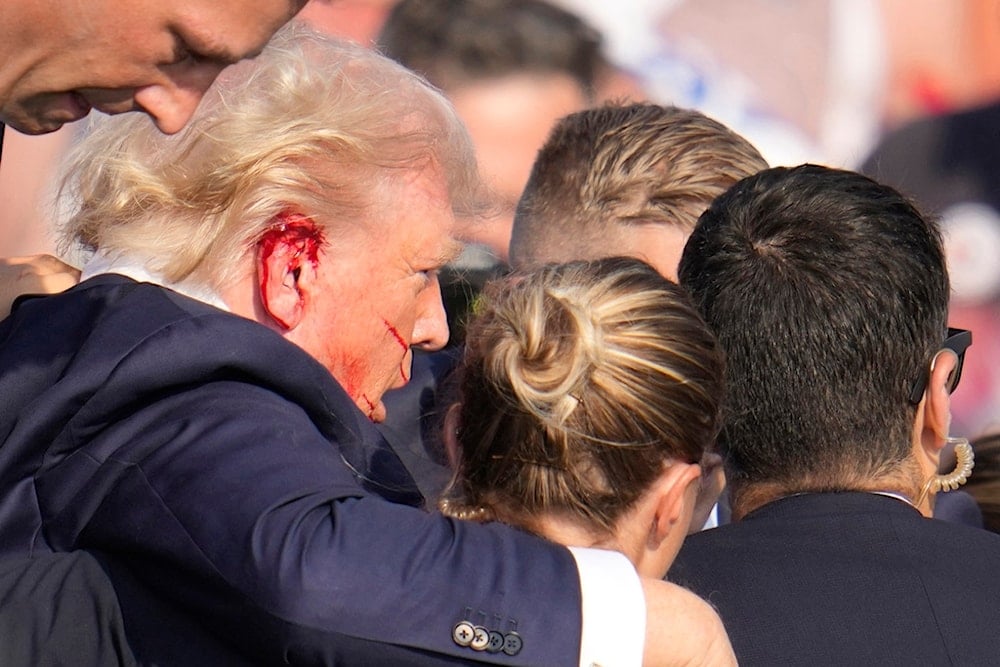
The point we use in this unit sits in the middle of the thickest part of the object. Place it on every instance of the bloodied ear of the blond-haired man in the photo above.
(289, 245)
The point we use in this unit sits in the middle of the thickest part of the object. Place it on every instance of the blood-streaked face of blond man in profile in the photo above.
(381, 294)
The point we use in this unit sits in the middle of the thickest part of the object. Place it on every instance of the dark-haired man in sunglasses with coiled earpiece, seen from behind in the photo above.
(829, 295)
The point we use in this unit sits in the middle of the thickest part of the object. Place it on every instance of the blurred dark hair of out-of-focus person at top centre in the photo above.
(455, 42)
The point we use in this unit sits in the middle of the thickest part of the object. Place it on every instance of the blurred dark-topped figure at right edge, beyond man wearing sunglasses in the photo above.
(947, 163)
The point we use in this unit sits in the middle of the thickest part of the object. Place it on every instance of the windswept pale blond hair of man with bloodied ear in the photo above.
(314, 125)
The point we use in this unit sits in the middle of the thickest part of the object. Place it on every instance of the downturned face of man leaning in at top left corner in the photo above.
(127, 55)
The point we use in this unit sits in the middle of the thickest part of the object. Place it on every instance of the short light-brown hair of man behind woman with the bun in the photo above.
(608, 169)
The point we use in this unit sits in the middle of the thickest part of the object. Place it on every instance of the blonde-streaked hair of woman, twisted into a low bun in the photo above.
(579, 382)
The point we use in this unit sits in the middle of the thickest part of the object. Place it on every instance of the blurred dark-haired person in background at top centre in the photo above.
(511, 68)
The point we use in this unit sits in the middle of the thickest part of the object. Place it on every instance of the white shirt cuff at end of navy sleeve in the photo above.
(613, 609)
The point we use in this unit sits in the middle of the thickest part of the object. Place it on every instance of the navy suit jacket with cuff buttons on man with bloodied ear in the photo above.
(237, 497)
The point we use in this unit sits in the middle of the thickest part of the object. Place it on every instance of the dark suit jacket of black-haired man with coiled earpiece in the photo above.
(849, 579)
